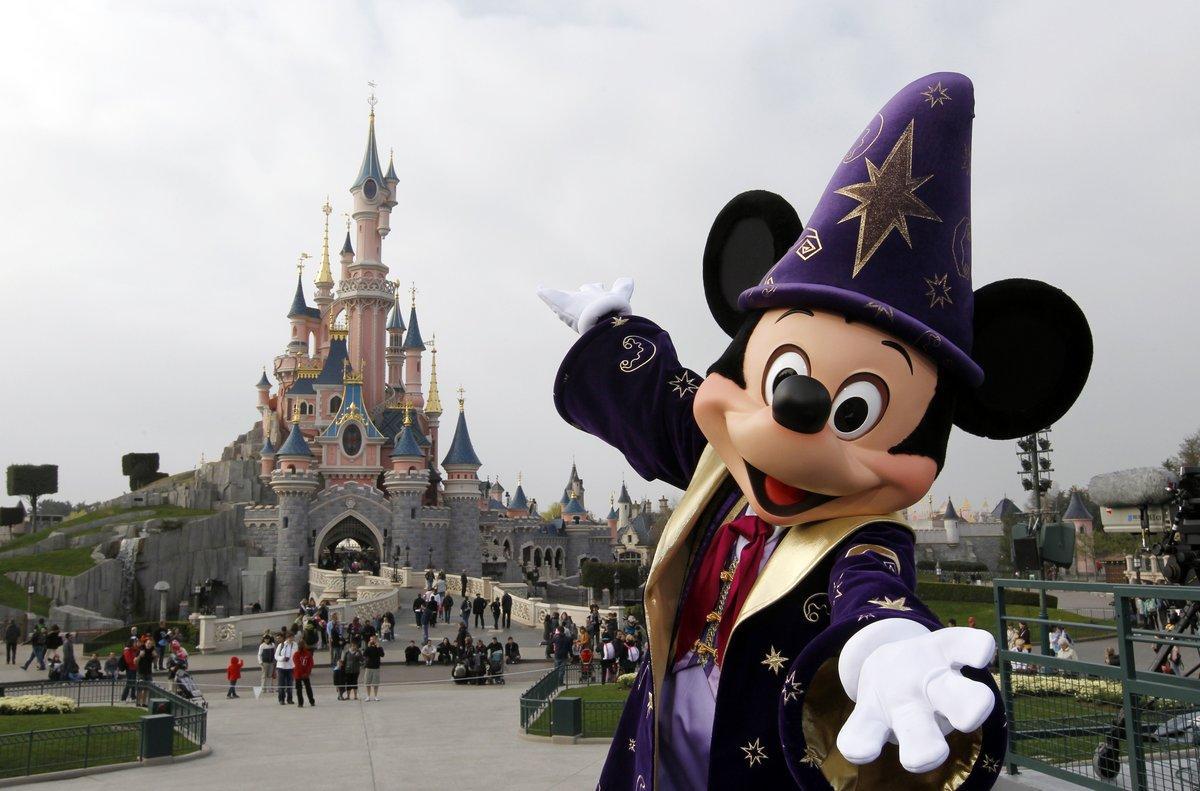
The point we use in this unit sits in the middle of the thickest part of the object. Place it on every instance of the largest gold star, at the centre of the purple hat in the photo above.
(886, 201)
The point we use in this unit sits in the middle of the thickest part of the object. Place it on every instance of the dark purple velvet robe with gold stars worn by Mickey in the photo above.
(623, 383)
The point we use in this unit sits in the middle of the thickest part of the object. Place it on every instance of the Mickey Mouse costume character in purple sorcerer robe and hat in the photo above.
(788, 646)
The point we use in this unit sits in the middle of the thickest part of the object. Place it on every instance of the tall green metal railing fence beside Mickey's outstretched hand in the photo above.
(1099, 726)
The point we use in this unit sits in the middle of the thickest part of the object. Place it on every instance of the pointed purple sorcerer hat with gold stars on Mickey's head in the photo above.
(890, 242)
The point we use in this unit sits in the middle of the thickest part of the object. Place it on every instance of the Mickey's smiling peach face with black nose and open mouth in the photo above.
(808, 438)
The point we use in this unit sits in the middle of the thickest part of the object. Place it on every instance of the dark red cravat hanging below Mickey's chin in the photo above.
(707, 586)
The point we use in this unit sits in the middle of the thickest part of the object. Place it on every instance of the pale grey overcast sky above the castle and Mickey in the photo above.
(163, 167)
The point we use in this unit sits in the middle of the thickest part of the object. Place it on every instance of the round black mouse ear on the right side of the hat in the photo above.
(1035, 347)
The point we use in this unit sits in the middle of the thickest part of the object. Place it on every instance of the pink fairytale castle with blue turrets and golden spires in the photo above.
(353, 454)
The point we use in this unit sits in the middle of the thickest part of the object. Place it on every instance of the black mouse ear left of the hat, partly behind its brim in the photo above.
(752, 233)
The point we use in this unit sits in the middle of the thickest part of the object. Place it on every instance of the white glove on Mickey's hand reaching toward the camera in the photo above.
(908, 690)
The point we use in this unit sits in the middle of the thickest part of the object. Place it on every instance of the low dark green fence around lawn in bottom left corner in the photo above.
(89, 746)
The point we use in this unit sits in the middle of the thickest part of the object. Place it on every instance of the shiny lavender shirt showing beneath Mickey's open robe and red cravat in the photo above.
(688, 703)
